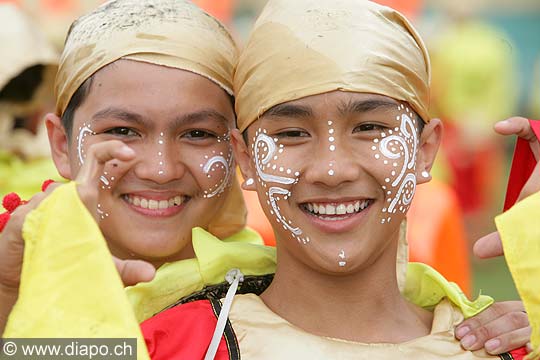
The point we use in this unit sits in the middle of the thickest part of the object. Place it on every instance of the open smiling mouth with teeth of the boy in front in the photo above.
(334, 211)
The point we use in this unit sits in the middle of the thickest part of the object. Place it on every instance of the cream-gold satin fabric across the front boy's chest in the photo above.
(282, 340)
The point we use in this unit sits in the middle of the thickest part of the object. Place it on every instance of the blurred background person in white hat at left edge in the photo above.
(27, 67)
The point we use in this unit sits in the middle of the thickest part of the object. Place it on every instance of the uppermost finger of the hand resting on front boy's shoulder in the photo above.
(490, 314)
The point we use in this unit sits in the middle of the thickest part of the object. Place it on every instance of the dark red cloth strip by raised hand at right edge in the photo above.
(523, 165)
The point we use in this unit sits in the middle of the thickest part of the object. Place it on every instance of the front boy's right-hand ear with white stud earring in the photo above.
(428, 147)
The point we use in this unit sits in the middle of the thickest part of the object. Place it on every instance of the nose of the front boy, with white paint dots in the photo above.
(332, 165)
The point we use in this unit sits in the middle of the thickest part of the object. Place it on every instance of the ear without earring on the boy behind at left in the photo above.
(59, 143)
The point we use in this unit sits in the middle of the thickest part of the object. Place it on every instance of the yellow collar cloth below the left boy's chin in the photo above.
(214, 258)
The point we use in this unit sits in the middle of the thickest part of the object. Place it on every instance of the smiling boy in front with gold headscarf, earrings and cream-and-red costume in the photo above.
(335, 150)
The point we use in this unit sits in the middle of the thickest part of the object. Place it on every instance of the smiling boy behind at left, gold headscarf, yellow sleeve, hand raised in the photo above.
(143, 118)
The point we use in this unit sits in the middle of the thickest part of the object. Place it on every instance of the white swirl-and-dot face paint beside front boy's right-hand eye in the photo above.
(400, 145)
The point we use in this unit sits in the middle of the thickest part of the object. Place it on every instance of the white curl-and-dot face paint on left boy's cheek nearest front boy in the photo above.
(220, 160)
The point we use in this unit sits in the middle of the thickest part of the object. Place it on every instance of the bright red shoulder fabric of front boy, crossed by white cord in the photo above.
(183, 332)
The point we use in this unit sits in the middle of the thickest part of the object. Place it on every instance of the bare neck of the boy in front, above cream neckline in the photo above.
(362, 306)
